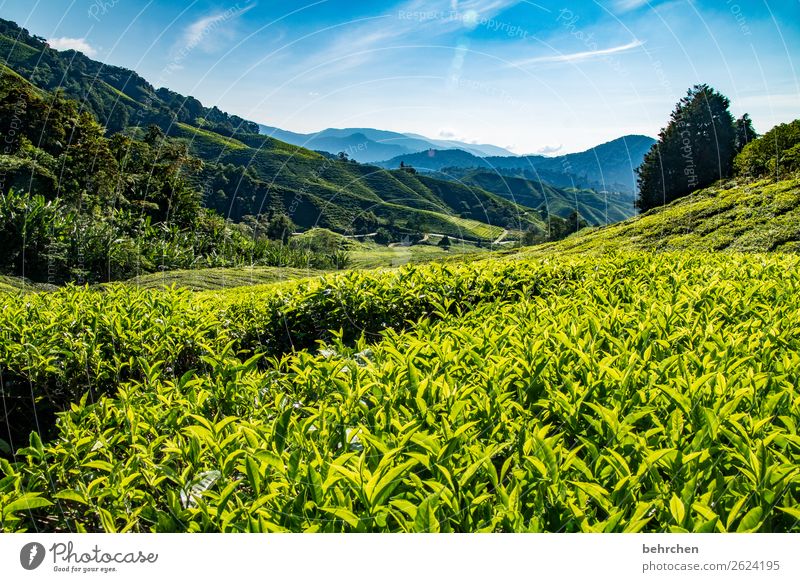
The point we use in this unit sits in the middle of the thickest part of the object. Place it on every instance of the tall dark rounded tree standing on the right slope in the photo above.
(695, 149)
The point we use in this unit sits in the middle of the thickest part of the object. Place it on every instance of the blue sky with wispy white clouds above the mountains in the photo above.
(545, 76)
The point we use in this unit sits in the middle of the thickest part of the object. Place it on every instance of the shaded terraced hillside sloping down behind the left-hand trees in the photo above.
(245, 173)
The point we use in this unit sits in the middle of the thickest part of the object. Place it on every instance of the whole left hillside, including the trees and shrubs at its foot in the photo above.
(83, 135)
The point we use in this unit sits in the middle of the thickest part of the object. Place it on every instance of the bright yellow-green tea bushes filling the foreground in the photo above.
(624, 393)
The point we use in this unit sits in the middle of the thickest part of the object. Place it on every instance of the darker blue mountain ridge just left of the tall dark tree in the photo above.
(607, 167)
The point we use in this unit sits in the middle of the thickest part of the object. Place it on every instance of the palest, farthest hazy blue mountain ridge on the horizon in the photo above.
(368, 145)
